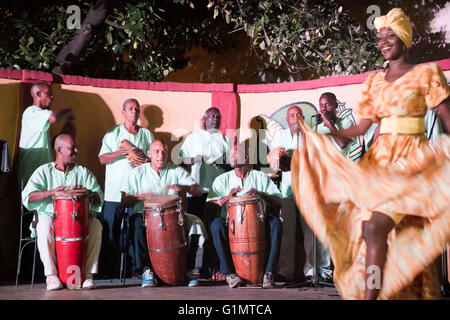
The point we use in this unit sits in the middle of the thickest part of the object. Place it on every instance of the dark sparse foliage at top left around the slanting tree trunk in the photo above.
(145, 40)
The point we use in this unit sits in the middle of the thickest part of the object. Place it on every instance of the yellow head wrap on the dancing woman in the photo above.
(397, 20)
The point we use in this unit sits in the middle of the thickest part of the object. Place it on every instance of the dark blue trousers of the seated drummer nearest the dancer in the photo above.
(219, 233)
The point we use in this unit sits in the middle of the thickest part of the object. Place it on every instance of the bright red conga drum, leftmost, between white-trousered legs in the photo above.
(71, 233)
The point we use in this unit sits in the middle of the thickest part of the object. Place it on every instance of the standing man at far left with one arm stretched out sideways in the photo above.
(34, 145)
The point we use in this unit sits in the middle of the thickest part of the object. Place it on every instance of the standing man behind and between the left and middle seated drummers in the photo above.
(113, 155)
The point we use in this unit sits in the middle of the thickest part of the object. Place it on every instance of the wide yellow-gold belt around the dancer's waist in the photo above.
(402, 125)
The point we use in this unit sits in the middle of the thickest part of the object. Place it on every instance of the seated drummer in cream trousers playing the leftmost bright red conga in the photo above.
(48, 179)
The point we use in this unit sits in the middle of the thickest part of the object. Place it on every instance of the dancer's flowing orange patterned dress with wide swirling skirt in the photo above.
(401, 175)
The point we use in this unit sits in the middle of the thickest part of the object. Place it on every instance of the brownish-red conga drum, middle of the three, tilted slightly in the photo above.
(166, 240)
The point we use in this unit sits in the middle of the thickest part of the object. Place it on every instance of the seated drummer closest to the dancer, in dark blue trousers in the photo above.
(243, 182)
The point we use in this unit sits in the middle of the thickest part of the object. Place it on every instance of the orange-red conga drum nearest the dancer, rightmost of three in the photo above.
(246, 233)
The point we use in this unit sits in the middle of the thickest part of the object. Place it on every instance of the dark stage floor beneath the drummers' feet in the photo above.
(113, 290)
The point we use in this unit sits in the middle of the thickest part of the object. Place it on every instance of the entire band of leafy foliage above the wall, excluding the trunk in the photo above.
(147, 40)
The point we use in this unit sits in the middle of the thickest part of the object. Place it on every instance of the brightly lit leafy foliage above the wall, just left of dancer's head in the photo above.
(303, 35)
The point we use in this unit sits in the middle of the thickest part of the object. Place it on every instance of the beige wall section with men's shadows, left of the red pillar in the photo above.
(99, 109)
